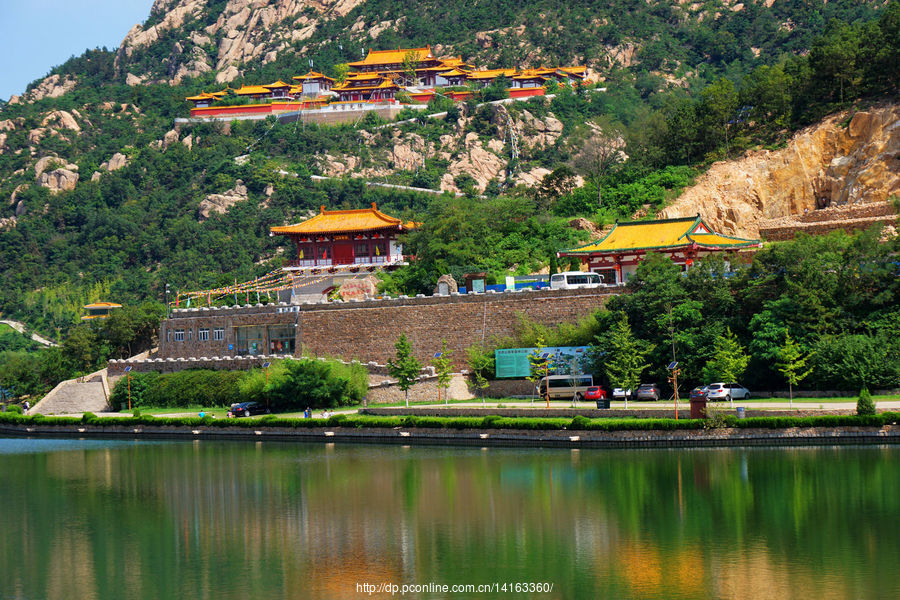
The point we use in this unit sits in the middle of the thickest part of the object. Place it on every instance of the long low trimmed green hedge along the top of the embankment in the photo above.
(487, 422)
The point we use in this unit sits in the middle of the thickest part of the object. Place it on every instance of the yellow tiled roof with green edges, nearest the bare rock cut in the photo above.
(667, 233)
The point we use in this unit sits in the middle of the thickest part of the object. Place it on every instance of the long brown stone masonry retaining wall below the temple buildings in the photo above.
(367, 330)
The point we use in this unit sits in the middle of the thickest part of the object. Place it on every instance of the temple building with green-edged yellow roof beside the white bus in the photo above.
(616, 255)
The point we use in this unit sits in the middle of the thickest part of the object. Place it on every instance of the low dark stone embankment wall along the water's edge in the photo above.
(408, 436)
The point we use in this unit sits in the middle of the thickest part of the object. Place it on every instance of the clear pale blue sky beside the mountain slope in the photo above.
(37, 35)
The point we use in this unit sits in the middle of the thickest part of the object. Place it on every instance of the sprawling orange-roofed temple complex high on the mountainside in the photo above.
(379, 79)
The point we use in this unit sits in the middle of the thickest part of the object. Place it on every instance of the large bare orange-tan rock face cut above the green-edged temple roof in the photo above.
(823, 165)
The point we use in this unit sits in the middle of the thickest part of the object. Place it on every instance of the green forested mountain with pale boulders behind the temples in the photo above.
(103, 195)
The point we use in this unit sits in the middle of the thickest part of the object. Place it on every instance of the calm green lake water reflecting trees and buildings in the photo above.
(112, 519)
